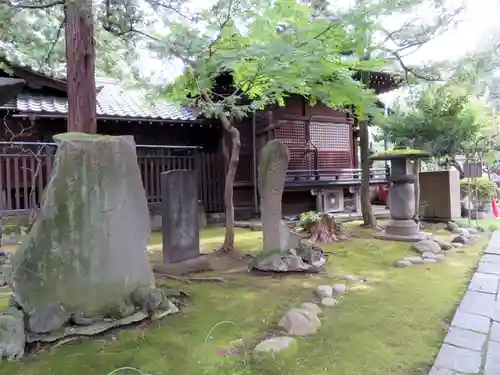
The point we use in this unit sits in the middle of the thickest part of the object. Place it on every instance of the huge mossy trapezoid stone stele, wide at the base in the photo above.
(87, 247)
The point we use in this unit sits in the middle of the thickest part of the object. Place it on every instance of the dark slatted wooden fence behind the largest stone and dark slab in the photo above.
(25, 169)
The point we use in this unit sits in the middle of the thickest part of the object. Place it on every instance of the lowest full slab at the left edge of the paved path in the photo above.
(459, 359)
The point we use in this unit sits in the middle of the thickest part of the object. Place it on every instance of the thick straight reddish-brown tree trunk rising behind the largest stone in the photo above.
(80, 55)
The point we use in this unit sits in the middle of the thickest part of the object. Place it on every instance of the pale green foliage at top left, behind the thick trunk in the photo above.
(32, 34)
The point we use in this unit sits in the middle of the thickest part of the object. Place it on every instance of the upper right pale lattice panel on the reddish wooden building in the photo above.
(330, 136)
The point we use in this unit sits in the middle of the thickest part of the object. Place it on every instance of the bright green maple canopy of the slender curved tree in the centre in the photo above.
(272, 51)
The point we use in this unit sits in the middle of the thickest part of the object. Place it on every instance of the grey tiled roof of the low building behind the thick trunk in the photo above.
(112, 101)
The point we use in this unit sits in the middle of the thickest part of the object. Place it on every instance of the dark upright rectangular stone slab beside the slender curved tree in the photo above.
(181, 234)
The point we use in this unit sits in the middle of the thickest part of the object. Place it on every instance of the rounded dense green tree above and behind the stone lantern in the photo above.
(438, 119)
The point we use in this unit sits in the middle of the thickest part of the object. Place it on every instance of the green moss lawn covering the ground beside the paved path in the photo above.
(392, 325)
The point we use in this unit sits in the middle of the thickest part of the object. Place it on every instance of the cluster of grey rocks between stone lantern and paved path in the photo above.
(433, 251)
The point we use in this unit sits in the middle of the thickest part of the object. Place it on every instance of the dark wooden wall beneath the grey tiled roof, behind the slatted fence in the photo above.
(17, 163)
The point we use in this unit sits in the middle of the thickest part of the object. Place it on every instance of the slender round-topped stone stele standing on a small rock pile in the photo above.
(272, 173)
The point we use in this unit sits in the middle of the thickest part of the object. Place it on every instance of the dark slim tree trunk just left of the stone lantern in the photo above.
(364, 147)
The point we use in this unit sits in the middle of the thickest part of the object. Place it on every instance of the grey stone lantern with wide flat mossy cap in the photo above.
(401, 198)
